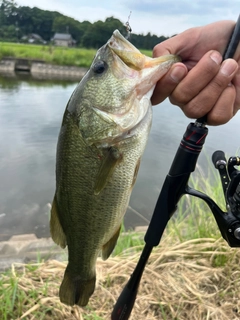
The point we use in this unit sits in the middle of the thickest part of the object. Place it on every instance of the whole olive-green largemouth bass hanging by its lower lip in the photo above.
(103, 135)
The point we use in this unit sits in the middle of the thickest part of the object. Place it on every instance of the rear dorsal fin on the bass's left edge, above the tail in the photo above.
(56, 229)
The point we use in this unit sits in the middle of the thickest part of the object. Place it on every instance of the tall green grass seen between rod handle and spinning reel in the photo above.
(193, 218)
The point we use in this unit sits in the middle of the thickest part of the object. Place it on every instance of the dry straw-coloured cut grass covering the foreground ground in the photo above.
(196, 279)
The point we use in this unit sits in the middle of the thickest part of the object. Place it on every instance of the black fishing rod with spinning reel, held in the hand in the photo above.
(176, 185)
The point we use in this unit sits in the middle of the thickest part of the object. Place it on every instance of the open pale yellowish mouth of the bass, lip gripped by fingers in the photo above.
(132, 57)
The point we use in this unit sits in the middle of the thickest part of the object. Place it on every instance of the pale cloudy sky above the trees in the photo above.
(160, 17)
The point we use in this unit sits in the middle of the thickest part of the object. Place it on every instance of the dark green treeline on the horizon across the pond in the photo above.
(17, 22)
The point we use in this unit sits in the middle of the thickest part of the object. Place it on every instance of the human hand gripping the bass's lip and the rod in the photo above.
(202, 83)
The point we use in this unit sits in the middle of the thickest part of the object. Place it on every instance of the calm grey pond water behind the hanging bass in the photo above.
(30, 117)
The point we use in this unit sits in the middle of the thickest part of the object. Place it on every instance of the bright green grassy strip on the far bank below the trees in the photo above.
(78, 57)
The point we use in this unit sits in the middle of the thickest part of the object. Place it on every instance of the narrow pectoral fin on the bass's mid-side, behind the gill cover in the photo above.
(110, 161)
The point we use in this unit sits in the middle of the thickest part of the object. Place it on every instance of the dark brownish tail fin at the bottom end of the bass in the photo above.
(75, 290)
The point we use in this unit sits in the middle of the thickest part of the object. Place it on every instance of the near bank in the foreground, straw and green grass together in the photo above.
(191, 275)
